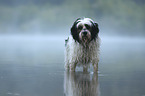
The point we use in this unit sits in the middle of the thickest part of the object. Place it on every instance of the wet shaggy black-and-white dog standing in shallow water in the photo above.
(82, 46)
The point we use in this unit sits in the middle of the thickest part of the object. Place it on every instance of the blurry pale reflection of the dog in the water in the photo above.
(81, 84)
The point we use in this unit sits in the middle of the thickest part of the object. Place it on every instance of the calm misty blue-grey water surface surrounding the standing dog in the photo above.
(33, 66)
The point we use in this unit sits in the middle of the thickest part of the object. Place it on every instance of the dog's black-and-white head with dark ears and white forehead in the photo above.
(84, 30)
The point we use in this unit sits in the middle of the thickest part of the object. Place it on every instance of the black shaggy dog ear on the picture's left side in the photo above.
(74, 32)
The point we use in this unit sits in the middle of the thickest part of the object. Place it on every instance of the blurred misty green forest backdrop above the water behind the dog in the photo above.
(125, 17)
